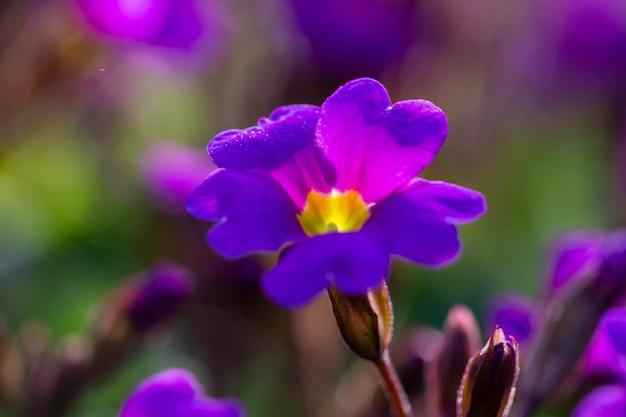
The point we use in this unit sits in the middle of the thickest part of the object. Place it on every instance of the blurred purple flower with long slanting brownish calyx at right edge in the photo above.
(588, 278)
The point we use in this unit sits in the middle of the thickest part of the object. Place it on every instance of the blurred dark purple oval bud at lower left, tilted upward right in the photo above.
(158, 295)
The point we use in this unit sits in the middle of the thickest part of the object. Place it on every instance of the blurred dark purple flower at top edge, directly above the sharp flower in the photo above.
(352, 38)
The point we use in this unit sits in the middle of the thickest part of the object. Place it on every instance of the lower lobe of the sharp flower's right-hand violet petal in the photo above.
(410, 232)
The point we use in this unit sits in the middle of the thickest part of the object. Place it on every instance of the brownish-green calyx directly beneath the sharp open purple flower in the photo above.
(365, 321)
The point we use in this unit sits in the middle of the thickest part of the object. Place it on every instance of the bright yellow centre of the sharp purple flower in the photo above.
(334, 212)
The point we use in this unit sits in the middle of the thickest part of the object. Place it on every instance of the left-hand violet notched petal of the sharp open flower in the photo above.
(253, 211)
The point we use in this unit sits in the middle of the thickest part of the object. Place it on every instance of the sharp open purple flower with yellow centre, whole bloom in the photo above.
(337, 183)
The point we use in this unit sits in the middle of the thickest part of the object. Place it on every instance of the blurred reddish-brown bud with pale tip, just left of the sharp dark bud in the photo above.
(461, 340)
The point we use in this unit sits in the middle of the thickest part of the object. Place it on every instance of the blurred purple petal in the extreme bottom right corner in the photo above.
(608, 400)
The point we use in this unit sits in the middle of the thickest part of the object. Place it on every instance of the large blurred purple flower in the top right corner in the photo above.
(579, 45)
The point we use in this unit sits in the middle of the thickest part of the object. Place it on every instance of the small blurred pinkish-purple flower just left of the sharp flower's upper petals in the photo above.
(173, 170)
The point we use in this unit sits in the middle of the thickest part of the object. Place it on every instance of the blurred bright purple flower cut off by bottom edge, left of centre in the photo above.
(176, 392)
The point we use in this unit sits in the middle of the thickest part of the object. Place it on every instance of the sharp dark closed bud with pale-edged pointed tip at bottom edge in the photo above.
(488, 385)
